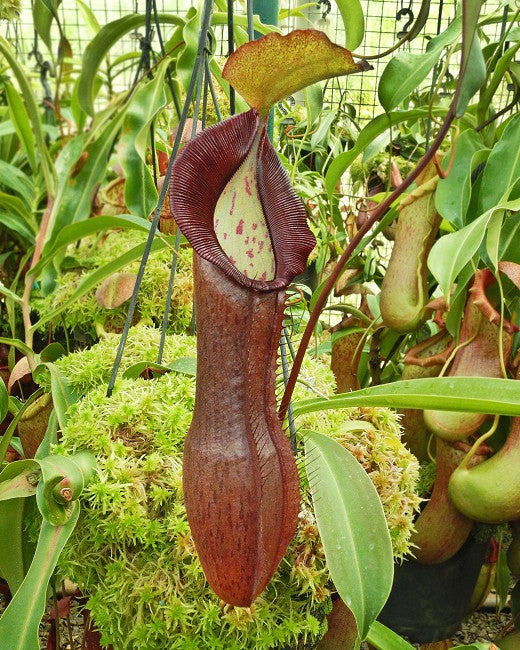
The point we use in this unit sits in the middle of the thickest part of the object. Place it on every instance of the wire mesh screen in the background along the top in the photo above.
(385, 21)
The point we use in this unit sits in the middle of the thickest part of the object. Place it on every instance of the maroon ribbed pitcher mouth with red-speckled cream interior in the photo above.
(204, 173)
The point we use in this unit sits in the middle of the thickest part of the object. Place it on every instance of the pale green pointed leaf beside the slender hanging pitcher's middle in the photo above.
(451, 253)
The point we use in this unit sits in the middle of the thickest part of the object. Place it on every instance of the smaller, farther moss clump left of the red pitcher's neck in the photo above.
(88, 316)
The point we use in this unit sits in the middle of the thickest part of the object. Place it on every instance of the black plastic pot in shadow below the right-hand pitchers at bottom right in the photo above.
(429, 602)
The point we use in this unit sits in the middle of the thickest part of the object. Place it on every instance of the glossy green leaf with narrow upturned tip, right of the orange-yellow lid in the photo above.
(407, 70)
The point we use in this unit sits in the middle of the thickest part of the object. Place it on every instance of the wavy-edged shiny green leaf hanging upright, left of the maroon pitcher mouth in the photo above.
(148, 100)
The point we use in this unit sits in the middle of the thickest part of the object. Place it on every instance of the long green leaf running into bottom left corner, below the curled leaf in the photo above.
(19, 623)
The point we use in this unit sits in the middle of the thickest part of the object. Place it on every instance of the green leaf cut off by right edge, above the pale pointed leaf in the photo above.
(503, 166)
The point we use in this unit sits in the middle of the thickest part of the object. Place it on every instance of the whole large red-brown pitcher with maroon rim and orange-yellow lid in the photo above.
(233, 201)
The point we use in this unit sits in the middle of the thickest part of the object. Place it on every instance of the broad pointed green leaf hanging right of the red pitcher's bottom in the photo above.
(352, 526)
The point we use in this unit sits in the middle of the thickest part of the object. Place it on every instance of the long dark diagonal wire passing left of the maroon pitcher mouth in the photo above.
(201, 52)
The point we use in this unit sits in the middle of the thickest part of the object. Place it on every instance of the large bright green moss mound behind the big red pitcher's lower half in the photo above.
(132, 552)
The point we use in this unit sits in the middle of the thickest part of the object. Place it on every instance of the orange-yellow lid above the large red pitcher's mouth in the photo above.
(272, 67)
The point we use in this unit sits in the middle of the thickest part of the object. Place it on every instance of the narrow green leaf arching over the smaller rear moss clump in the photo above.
(75, 232)
